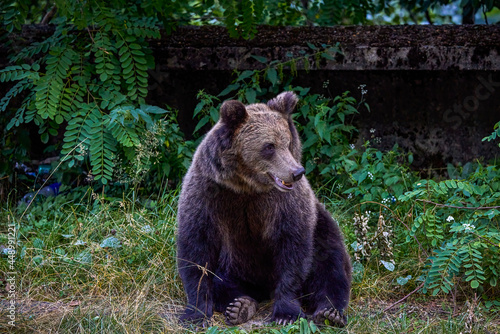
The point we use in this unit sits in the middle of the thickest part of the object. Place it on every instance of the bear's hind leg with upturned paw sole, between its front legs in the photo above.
(233, 300)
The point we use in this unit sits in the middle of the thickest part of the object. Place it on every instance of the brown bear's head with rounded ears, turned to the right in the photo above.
(263, 148)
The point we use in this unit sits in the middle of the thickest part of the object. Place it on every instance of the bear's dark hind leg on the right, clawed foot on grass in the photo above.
(328, 286)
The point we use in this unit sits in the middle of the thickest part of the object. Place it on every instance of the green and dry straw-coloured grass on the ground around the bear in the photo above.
(90, 264)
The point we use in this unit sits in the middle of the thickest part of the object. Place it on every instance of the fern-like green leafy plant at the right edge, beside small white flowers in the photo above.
(459, 219)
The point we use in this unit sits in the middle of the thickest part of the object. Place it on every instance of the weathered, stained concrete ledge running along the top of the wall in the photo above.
(363, 47)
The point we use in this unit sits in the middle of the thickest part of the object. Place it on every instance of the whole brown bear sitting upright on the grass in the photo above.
(251, 228)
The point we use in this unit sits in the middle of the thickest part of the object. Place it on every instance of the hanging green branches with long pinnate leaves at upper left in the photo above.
(91, 74)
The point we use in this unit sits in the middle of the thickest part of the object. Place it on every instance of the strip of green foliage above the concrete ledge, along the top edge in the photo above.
(241, 18)
